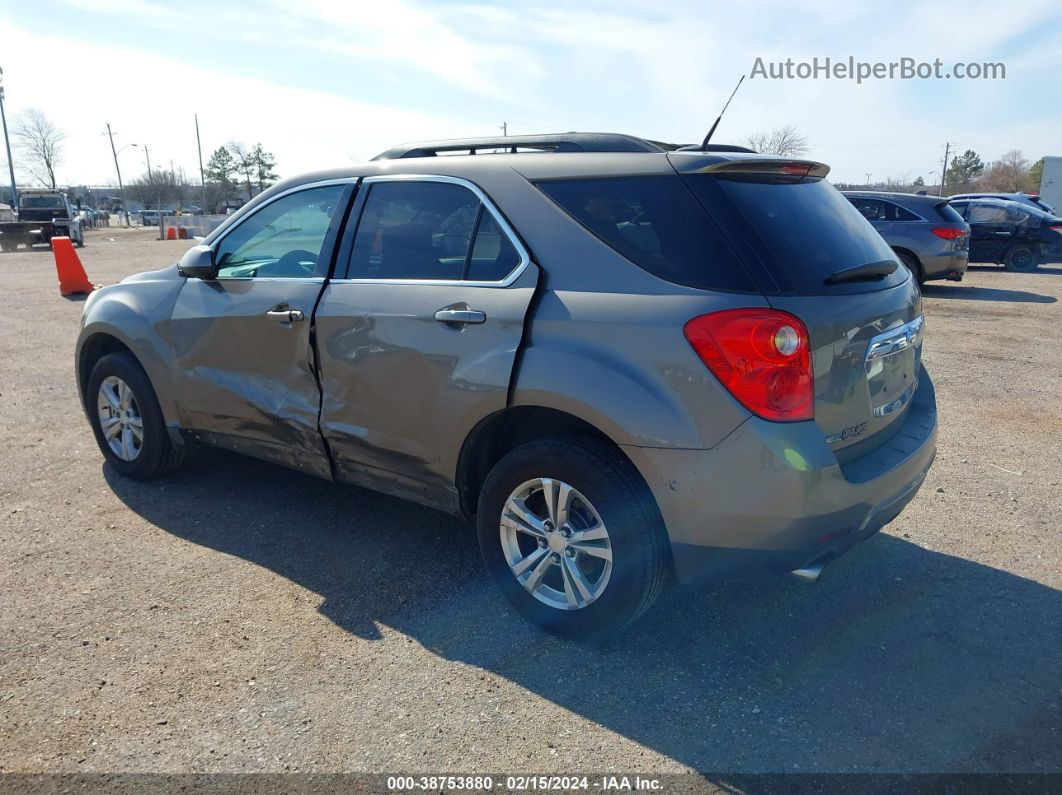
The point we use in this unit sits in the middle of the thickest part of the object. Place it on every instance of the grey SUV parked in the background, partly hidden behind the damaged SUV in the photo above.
(927, 234)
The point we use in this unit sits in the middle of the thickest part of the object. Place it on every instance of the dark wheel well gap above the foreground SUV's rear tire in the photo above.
(505, 431)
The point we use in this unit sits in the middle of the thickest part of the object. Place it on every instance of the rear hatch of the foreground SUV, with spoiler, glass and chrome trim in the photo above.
(815, 256)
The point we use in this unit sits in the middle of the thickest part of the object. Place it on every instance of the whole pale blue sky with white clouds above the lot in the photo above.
(327, 84)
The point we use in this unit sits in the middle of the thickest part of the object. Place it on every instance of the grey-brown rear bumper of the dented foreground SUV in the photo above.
(773, 497)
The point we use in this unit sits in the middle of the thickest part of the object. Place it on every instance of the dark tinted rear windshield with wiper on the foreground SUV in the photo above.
(802, 230)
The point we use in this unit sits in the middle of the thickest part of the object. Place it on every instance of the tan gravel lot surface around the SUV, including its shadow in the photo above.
(243, 617)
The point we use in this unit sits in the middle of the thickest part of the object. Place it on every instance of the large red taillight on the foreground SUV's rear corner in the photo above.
(762, 356)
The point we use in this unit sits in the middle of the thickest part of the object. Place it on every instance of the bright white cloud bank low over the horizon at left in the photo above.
(306, 129)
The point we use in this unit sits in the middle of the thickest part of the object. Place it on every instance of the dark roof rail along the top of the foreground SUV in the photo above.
(549, 143)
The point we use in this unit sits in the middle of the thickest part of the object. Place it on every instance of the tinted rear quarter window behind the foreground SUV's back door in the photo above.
(656, 223)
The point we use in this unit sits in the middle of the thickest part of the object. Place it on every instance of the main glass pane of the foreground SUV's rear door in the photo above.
(415, 231)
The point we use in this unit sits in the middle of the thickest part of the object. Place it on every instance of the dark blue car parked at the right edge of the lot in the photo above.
(1017, 236)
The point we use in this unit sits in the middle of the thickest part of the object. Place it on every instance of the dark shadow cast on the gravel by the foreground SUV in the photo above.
(900, 659)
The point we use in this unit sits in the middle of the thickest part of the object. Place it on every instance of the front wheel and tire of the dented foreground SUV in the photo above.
(127, 421)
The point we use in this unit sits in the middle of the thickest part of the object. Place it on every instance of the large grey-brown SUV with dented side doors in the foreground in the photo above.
(626, 361)
